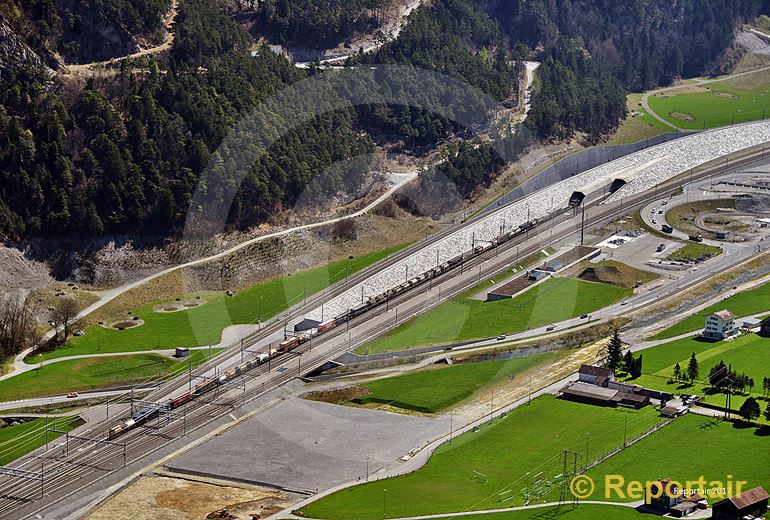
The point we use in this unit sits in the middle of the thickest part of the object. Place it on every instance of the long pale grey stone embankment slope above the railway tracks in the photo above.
(644, 169)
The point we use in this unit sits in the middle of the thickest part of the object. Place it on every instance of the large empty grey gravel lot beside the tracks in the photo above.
(302, 445)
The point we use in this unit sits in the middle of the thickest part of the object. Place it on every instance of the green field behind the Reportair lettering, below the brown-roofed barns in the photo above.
(722, 449)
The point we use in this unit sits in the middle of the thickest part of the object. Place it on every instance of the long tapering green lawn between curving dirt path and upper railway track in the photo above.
(204, 324)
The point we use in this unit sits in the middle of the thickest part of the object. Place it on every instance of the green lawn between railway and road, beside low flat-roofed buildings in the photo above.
(462, 318)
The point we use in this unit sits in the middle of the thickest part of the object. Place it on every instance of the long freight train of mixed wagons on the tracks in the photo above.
(289, 344)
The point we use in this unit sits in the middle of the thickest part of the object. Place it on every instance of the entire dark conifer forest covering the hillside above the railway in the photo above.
(123, 154)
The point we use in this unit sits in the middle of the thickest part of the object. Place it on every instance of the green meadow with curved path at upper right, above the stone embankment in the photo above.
(718, 105)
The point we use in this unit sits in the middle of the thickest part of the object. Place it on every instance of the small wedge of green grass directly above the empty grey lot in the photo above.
(433, 389)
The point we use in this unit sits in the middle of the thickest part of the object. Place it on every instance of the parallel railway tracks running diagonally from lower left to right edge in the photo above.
(90, 461)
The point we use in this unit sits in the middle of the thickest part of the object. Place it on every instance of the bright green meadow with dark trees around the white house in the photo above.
(749, 354)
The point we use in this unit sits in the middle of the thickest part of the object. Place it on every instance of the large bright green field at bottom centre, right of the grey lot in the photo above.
(472, 472)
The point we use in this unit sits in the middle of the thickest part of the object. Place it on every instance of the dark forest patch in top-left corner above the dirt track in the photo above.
(85, 30)
